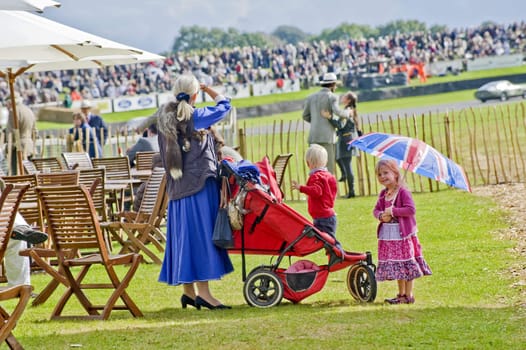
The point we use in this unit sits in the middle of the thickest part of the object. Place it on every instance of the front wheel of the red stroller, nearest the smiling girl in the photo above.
(361, 283)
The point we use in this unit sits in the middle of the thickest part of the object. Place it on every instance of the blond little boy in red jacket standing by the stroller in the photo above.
(320, 189)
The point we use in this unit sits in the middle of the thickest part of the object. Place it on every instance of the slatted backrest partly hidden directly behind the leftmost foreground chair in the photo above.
(30, 208)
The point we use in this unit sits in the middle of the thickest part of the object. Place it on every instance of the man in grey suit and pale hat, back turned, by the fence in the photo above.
(318, 108)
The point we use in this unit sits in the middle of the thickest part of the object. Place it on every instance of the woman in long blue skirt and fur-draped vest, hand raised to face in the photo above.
(188, 155)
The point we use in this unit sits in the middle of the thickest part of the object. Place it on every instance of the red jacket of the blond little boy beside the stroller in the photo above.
(321, 189)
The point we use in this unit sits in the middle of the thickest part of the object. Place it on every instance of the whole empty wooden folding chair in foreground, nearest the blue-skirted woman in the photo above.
(74, 228)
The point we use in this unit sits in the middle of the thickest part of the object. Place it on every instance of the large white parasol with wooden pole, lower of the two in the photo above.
(34, 43)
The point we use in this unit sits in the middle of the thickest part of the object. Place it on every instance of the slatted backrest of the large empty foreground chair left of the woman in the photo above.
(73, 223)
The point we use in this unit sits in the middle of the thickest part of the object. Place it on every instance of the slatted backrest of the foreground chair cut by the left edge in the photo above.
(9, 201)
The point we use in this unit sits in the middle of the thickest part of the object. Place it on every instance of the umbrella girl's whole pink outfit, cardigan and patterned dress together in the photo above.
(399, 254)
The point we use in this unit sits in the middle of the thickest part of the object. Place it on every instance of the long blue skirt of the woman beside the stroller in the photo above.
(190, 255)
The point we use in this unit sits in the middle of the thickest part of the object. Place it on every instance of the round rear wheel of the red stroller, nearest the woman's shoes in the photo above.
(263, 289)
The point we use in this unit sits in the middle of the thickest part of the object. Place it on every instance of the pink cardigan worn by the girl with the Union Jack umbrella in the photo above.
(403, 211)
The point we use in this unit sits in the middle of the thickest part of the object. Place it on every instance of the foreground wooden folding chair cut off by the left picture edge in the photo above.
(9, 202)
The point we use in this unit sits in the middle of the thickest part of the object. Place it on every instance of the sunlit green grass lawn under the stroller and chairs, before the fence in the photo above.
(468, 302)
